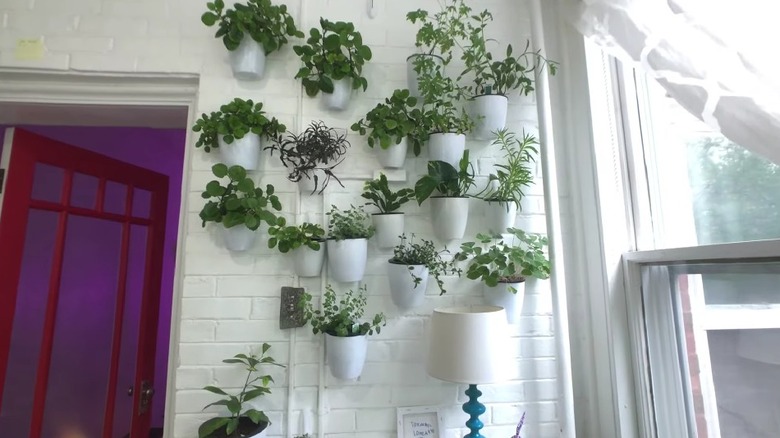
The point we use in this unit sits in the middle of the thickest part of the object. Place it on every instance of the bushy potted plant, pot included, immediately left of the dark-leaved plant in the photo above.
(236, 131)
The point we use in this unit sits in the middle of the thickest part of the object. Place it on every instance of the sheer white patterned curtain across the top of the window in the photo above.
(718, 58)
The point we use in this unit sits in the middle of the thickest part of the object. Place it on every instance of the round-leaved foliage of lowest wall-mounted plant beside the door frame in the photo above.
(238, 202)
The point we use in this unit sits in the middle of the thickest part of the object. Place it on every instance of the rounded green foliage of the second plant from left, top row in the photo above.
(332, 53)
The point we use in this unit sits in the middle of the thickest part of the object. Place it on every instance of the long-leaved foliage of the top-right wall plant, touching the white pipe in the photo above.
(499, 76)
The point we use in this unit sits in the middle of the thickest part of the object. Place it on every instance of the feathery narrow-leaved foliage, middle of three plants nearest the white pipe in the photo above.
(509, 181)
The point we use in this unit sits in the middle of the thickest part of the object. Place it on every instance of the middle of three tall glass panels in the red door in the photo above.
(81, 352)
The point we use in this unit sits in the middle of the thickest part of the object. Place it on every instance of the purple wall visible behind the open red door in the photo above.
(160, 150)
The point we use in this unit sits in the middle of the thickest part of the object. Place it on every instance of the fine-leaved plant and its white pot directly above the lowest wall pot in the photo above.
(348, 234)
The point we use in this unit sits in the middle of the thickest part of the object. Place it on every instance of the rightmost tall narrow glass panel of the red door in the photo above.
(130, 325)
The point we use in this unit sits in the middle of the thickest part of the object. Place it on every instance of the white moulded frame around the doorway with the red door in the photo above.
(79, 89)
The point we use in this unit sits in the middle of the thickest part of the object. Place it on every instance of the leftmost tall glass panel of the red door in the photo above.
(27, 331)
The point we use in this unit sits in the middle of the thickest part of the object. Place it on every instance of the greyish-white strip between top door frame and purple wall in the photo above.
(13, 113)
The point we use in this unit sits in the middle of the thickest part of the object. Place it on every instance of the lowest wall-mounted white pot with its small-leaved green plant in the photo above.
(346, 334)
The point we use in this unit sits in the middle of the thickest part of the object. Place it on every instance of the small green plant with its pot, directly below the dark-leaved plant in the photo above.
(304, 242)
